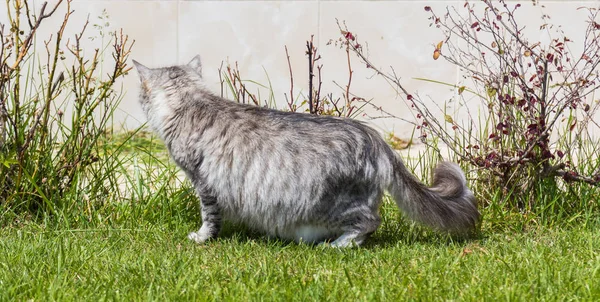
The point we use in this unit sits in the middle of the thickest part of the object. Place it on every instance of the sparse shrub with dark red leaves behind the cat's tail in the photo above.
(530, 143)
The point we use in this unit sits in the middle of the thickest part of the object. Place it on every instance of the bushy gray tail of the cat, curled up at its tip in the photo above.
(448, 205)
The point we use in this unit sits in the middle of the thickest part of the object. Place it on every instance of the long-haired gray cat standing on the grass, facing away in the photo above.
(291, 175)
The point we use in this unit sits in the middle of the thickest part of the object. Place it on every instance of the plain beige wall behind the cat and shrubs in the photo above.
(254, 34)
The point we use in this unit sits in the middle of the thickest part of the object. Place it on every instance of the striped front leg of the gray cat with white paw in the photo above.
(211, 220)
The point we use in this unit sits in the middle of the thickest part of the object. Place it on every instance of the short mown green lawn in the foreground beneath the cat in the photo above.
(154, 262)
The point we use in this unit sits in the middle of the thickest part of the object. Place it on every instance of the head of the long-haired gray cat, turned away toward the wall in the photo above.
(164, 89)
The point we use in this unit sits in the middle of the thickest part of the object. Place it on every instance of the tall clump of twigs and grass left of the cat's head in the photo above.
(56, 107)
